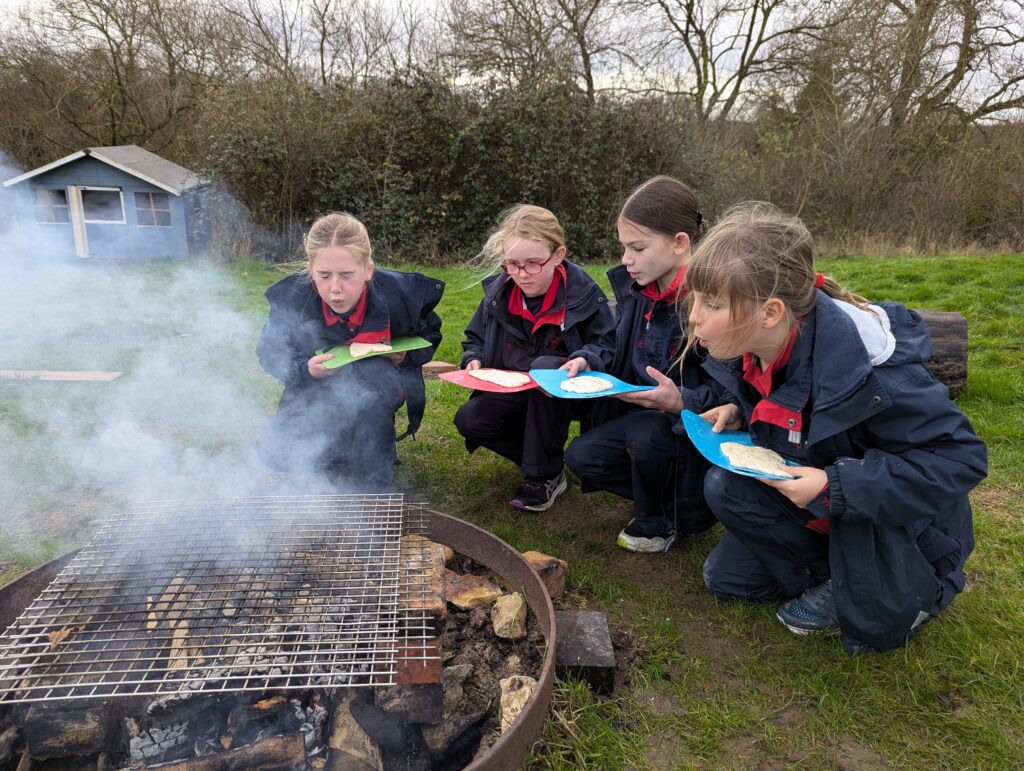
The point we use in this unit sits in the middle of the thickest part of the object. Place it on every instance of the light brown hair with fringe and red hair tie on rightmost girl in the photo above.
(754, 254)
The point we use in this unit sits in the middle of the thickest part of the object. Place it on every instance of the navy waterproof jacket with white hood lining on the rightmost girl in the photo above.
(901, 458)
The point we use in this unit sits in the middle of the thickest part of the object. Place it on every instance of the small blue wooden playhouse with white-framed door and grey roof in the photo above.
(121, 203)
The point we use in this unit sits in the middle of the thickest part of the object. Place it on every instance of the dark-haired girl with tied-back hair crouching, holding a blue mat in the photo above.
(637, 449)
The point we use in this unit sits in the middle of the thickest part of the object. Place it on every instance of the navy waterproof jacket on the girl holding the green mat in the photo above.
(295, 330)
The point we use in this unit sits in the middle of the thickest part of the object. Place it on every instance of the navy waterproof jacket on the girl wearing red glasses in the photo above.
(587, 317)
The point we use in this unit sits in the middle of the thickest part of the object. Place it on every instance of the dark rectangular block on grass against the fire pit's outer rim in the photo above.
(584, 649)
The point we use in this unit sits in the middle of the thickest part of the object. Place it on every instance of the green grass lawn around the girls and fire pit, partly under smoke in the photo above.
(704, 683)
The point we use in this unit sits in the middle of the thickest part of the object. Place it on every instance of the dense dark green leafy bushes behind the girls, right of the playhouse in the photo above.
(430, 168)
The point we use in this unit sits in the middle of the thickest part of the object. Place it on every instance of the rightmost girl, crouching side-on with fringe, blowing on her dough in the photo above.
(870, 536)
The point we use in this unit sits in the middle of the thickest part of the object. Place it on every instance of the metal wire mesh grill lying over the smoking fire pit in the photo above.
(232, 595)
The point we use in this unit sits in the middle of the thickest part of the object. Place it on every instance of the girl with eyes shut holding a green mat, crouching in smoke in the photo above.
(340, 422)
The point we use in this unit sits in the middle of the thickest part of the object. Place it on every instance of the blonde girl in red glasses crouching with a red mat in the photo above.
(533, 314)
